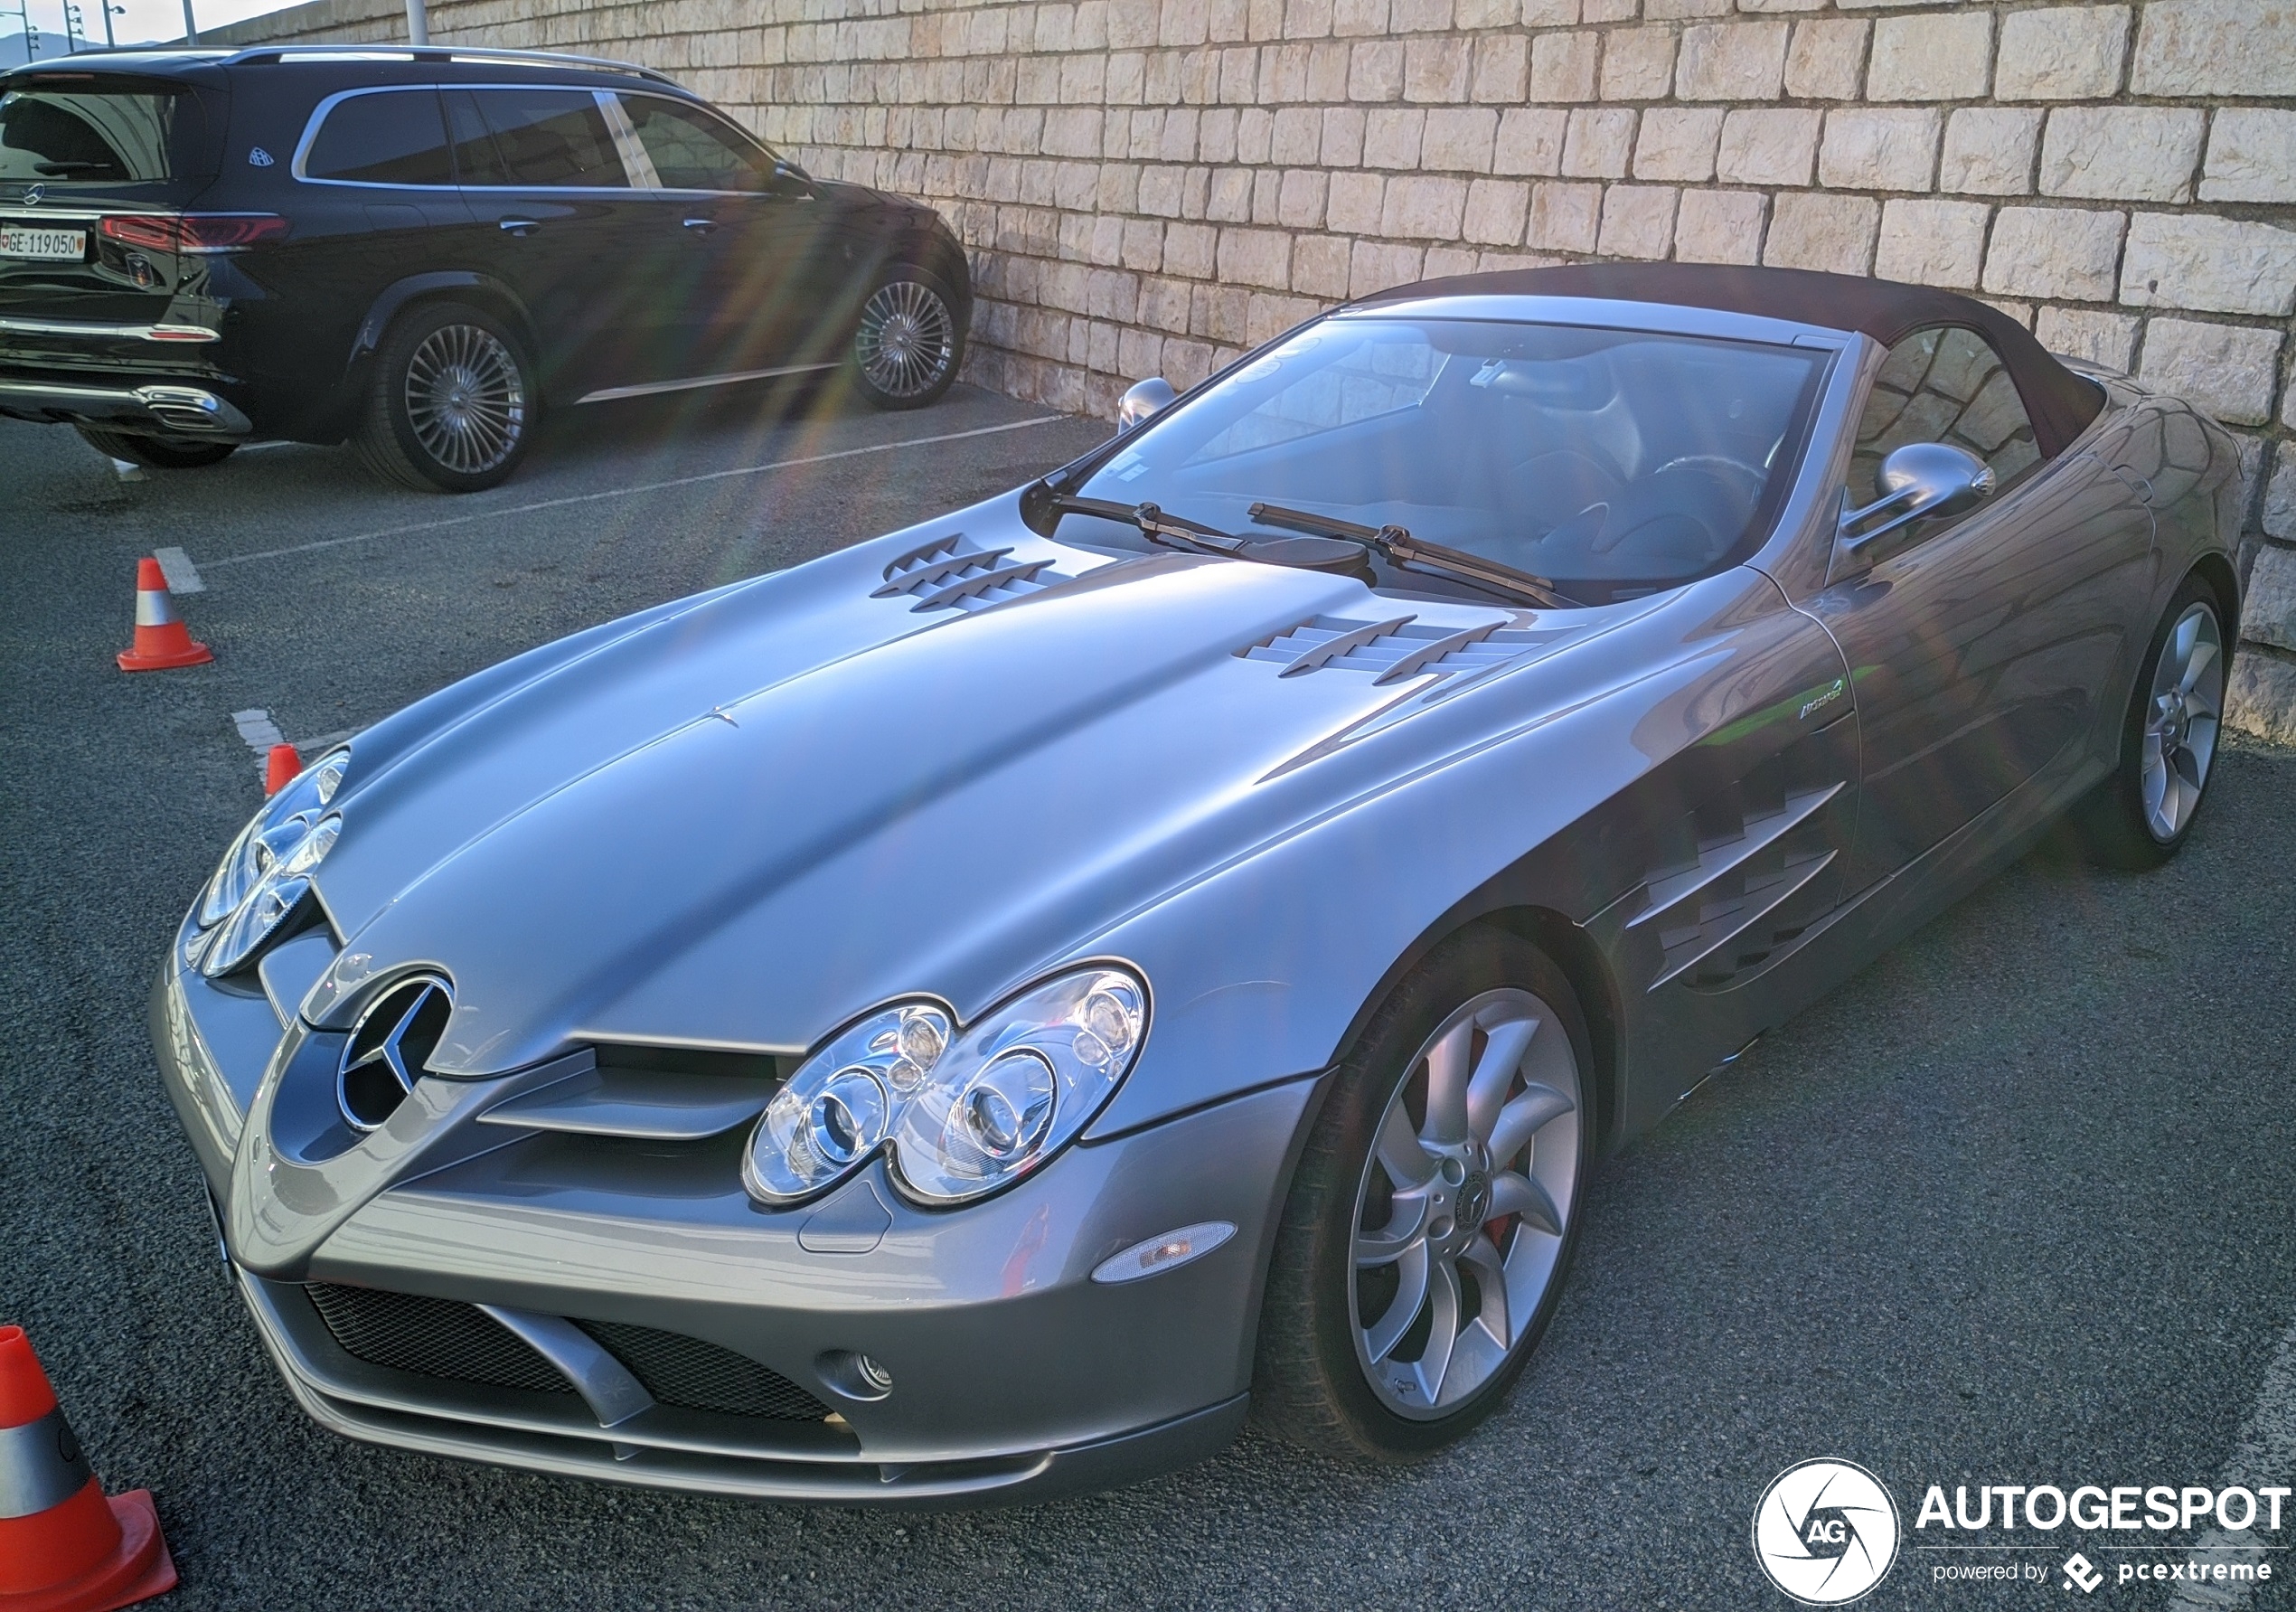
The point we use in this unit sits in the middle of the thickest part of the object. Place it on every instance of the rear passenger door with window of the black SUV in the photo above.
(561, 224)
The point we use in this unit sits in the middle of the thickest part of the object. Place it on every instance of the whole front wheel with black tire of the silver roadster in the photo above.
(1342, 1370)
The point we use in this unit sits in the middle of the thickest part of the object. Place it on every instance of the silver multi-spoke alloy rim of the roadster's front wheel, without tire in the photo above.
(1464, 1204)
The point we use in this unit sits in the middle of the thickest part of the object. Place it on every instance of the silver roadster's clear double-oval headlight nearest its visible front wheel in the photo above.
(963, 1113)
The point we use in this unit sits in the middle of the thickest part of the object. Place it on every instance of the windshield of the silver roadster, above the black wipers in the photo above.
(1611, 463)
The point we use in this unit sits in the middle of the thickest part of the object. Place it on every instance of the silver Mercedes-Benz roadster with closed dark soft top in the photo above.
(970, 1016)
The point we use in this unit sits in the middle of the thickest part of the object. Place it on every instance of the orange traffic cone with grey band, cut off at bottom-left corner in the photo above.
(63, 1544)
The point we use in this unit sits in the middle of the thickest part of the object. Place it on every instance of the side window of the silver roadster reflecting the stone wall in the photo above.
(1944, 387)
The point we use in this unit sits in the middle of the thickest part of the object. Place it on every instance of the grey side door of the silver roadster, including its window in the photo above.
(1980, 649)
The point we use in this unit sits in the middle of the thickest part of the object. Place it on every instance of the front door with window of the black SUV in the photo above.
(750, 286)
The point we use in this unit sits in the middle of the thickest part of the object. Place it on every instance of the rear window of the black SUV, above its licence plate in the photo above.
(86, 132)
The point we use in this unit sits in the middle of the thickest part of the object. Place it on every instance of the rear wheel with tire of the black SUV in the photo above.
(451, 403)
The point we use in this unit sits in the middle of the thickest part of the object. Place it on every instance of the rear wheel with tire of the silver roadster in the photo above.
(2143, 812)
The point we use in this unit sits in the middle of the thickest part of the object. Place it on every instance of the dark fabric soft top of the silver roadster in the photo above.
(2058, 401)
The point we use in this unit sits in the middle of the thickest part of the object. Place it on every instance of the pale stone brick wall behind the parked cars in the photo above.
(1151, 187)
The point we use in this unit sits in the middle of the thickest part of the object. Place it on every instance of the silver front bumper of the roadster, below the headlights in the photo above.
(1014, 1372)
